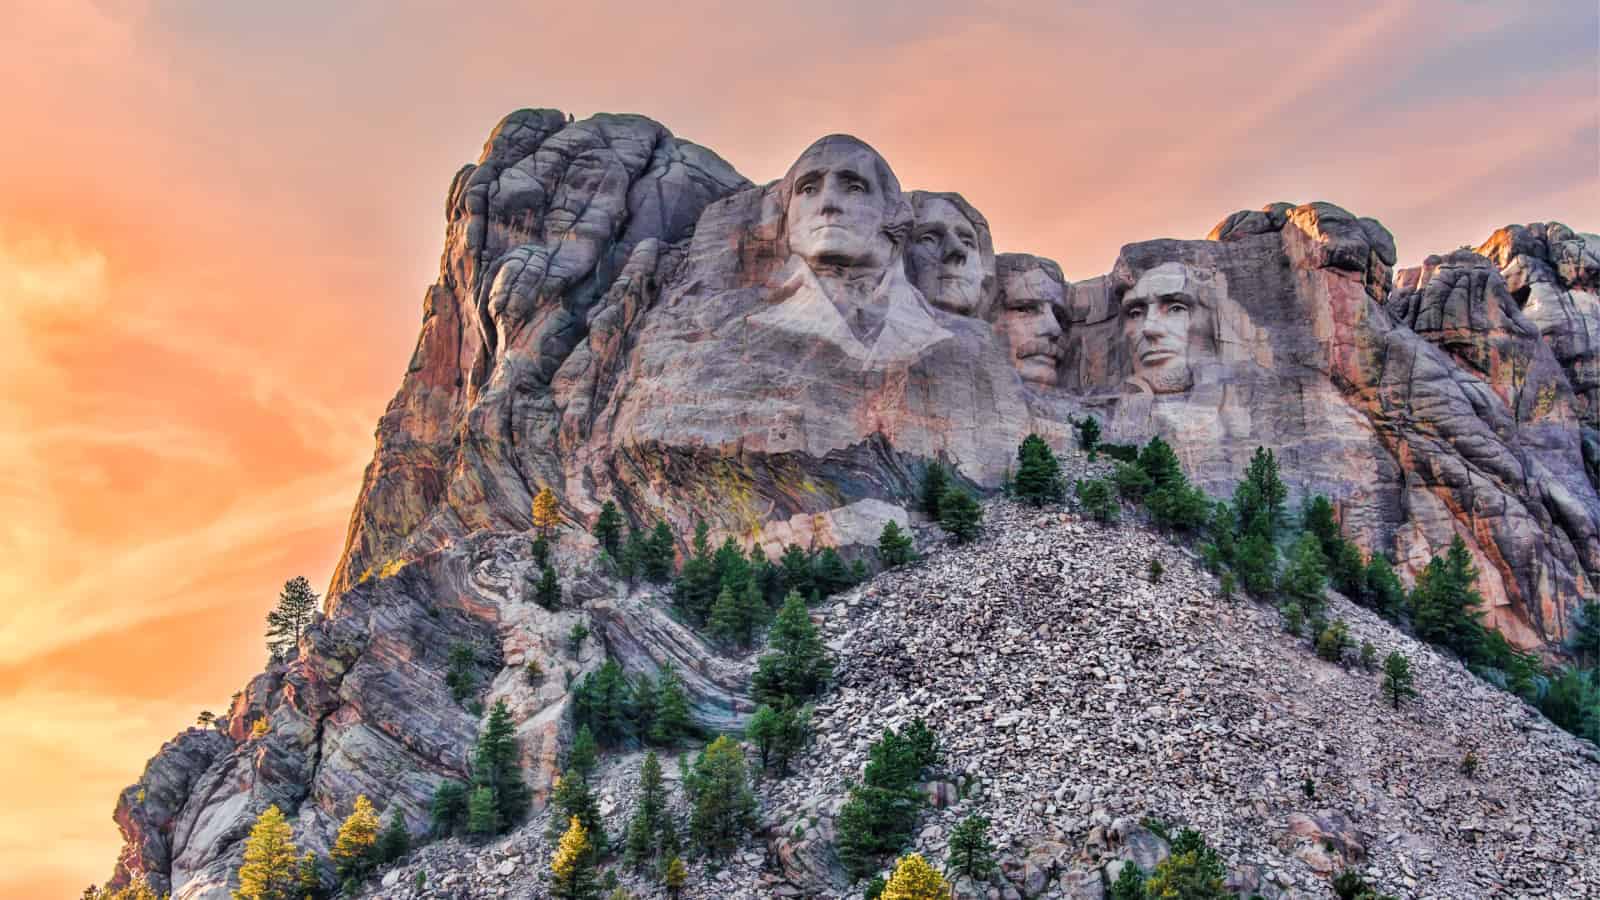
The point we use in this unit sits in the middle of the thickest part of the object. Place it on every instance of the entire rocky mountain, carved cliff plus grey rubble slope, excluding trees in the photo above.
(623, 319)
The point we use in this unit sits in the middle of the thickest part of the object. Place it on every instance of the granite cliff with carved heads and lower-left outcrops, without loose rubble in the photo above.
(622, 316)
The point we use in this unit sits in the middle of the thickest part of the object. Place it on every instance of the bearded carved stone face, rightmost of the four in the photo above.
(1162, 319)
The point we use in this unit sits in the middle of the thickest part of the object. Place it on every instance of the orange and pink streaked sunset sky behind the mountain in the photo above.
(217, 223)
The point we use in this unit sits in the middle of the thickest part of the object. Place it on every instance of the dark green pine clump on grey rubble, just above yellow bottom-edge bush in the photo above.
(882, 811)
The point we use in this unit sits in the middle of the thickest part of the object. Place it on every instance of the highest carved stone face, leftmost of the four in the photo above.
(838, 206)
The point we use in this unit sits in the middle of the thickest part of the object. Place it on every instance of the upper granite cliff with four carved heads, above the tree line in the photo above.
(622, 316)
